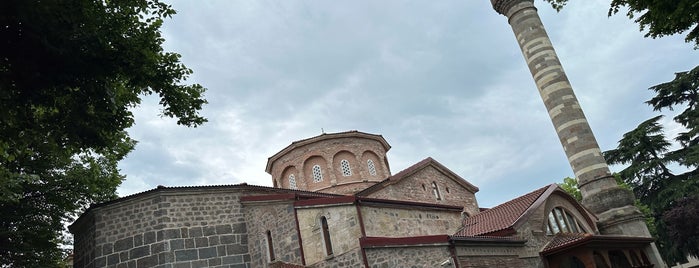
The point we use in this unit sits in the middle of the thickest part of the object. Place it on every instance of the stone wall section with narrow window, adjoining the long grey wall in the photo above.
(278, 218)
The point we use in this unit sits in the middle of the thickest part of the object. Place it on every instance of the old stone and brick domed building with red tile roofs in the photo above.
(336, 203)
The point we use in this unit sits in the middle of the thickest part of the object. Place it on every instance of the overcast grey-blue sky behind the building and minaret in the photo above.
(436, 78)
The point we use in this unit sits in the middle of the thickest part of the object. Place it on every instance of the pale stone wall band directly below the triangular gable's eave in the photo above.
(402, 222)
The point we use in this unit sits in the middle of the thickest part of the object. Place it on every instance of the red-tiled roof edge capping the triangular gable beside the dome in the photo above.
(427, 162)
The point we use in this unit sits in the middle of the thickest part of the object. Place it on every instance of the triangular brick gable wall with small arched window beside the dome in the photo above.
(410, 188)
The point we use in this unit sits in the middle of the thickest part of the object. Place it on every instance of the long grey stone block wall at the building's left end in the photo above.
(168, 228)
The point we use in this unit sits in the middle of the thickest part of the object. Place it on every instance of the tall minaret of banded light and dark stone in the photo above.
(601, 194)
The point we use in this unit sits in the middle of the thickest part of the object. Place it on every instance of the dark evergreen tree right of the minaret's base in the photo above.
(648, 154)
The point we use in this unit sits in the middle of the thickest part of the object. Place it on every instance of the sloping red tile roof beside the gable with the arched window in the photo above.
(499, 221)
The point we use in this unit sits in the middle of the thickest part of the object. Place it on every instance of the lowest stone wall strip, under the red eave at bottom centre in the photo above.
(414, 256)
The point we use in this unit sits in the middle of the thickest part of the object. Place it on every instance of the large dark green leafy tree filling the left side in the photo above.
(70, 71)
